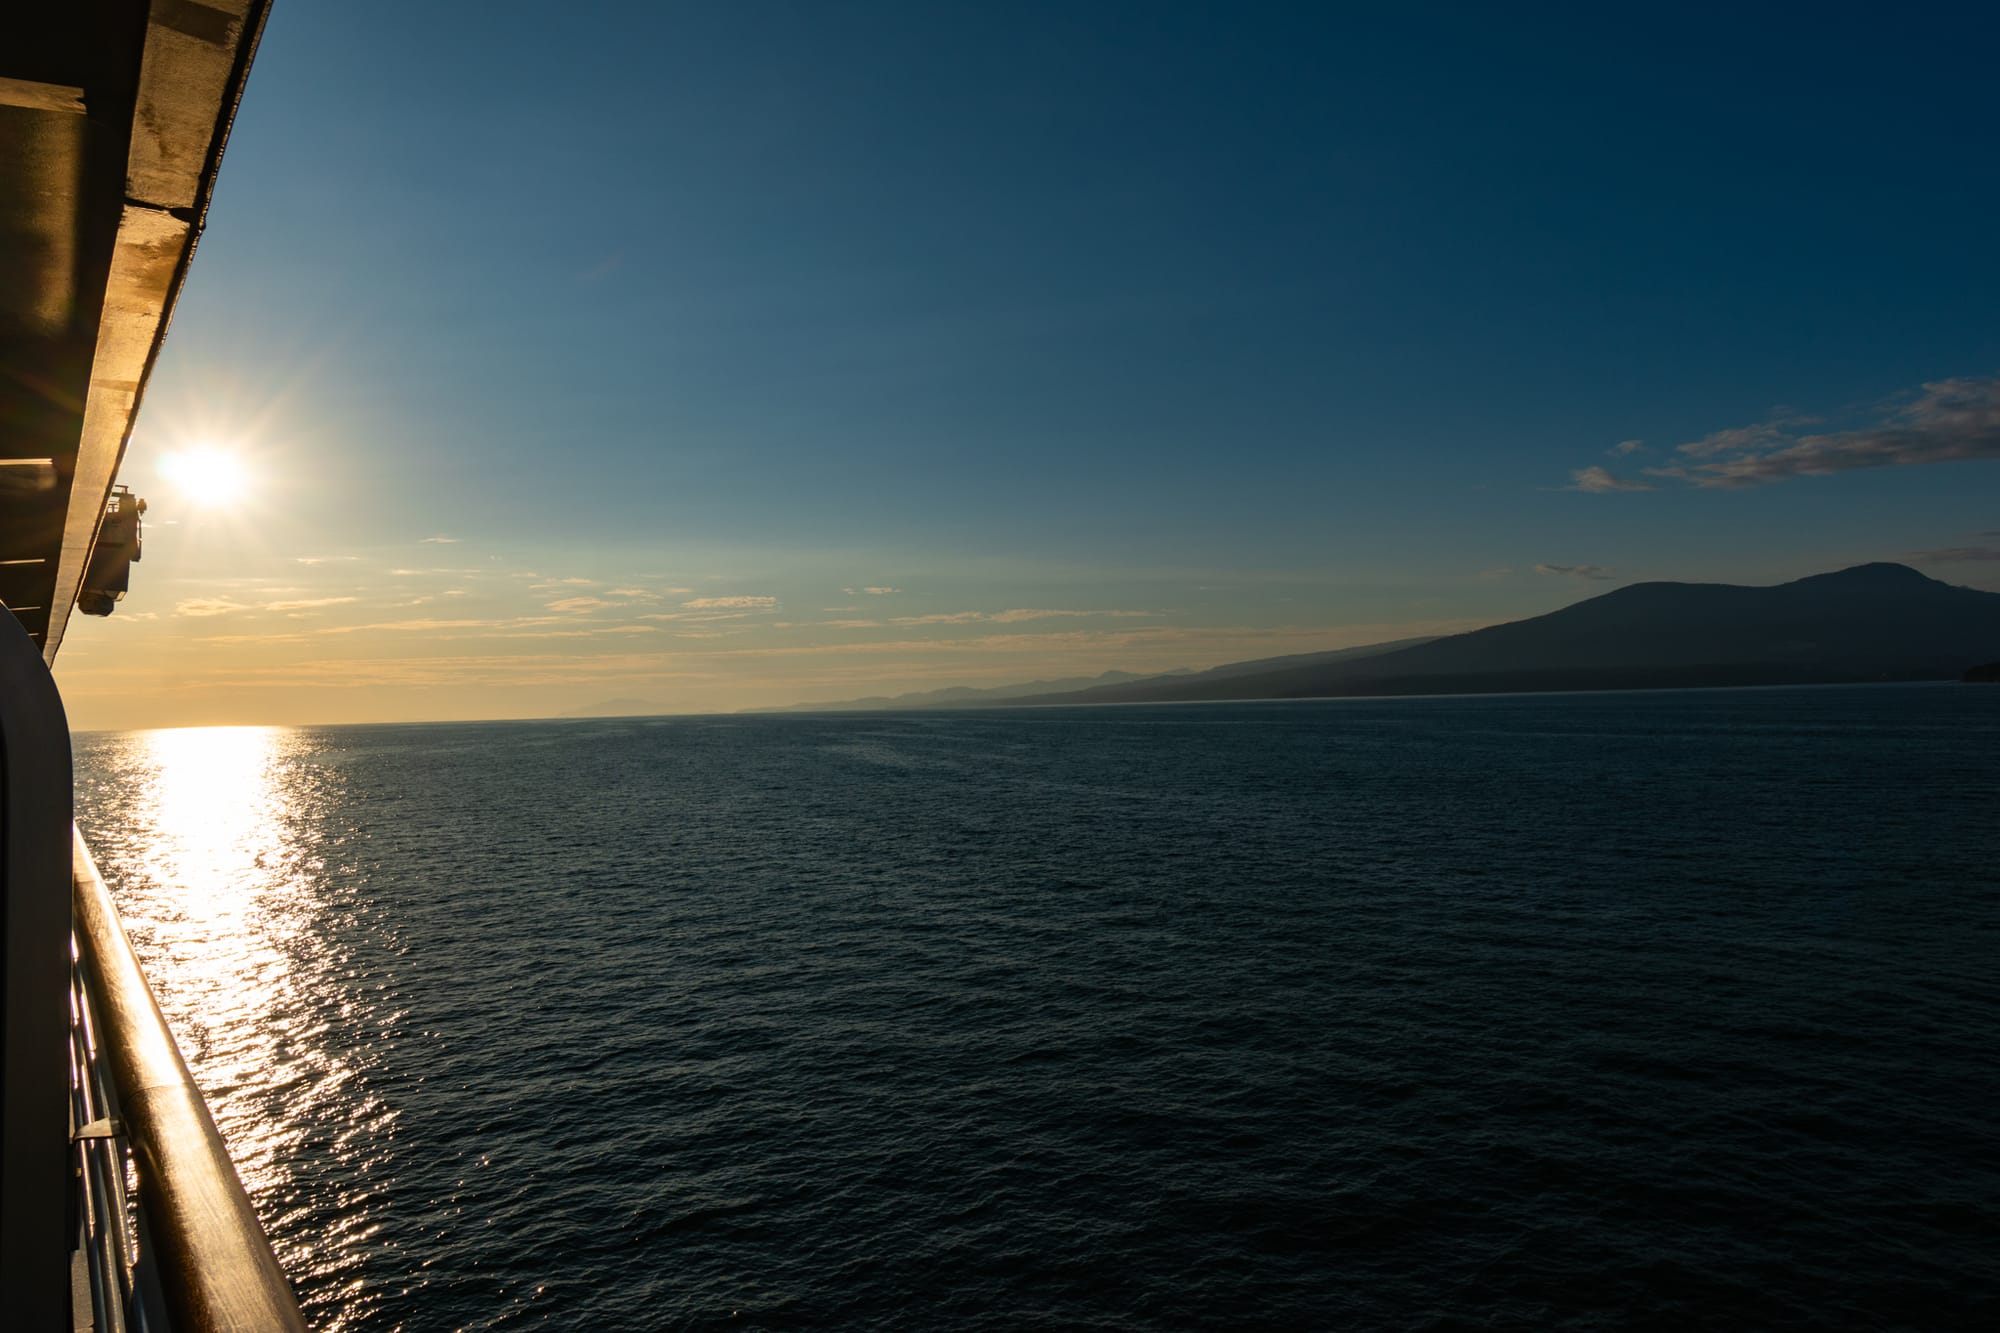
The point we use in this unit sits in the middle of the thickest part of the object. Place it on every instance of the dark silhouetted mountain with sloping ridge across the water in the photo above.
(1865, 623)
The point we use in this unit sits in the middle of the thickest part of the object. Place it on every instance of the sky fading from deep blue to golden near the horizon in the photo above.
(1267, 325)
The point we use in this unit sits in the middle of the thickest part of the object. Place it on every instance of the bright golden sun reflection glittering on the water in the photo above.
(217, 848)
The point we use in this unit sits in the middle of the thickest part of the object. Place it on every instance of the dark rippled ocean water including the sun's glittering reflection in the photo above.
(1465, 1014)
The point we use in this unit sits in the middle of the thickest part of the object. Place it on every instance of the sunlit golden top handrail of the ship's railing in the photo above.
(217, 1272)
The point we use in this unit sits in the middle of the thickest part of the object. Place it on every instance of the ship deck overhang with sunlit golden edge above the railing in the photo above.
(113, 121)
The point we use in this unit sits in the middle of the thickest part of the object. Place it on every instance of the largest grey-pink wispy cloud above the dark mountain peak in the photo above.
(1945, 421)
